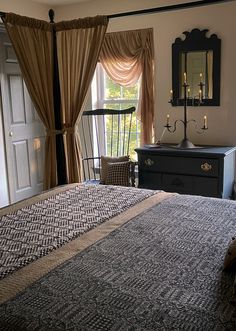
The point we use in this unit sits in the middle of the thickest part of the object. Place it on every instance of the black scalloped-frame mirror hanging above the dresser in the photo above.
(196, 60)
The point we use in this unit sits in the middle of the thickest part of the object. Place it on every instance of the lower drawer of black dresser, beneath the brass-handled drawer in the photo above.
(190, 185)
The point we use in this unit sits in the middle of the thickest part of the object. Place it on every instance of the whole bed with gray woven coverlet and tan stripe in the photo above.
(100, 257)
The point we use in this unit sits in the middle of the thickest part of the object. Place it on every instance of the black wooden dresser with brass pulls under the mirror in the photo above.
(207, 171)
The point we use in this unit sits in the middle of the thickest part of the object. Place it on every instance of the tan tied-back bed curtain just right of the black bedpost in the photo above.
(78, 44)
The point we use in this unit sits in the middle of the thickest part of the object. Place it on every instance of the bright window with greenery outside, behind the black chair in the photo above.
(107, 94)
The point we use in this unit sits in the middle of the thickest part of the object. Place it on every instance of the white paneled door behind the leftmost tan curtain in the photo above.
(24, 131)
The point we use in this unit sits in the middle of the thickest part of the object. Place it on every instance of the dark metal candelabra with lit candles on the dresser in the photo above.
(186, 143)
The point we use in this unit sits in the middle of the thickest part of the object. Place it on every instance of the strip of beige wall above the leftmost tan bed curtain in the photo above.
(25, 7)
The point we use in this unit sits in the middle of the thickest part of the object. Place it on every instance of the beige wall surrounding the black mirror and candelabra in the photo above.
(219, 19)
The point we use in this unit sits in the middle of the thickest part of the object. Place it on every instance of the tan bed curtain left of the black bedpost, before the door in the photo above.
(32, 42)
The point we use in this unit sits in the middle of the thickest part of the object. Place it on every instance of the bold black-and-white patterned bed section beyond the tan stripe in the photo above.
(35, 230)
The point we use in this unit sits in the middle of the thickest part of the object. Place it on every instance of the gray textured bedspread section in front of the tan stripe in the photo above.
(160, 271)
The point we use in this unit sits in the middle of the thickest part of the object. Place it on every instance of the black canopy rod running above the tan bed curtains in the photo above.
(183, 5)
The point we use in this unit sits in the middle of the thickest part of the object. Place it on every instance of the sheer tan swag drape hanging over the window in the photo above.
(126, 56)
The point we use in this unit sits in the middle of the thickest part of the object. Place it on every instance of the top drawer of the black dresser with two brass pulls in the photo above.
(174, 164)
